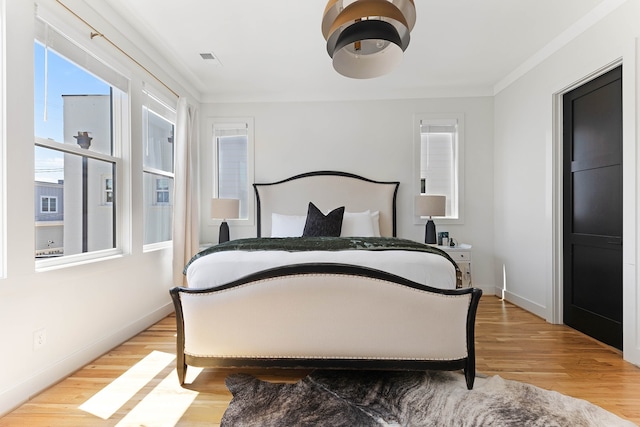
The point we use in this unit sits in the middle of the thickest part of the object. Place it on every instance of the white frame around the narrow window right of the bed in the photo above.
(418, 119)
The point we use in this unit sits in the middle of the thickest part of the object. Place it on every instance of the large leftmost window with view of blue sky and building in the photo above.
(80, 111)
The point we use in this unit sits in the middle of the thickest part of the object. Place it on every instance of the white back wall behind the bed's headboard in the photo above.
(373, 139)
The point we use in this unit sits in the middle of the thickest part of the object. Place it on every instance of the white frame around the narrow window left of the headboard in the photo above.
(212, 124)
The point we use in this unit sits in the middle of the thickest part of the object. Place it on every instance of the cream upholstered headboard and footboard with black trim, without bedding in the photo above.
(326, 315)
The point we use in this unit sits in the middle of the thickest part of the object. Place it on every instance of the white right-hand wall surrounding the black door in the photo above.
(526, 169)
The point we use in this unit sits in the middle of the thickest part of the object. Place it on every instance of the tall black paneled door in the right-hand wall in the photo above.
(593, 208)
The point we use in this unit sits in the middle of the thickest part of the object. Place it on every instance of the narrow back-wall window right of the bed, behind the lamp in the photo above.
(439, 152)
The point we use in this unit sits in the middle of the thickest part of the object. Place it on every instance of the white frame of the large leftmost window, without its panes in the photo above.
(120, 123)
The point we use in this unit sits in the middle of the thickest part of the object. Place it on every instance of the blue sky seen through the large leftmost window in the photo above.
(62, 78)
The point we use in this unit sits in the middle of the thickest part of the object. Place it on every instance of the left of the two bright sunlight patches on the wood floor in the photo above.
(107, 401)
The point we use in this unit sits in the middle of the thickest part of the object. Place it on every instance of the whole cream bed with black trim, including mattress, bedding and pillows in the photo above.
(369, 301)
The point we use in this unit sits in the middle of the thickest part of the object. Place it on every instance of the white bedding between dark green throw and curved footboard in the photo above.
(222, 267)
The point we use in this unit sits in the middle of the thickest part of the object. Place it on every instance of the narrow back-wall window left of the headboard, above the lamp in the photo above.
(233, 160)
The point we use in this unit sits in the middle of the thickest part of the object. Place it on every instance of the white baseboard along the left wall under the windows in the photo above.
(44, 378)
